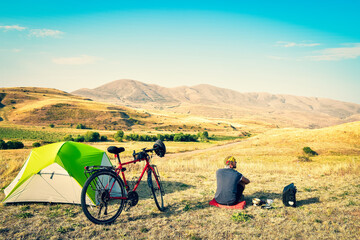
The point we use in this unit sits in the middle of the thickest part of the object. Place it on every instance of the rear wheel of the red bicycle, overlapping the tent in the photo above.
(103, 197)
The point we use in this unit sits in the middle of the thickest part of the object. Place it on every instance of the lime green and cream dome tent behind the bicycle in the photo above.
(54, 173)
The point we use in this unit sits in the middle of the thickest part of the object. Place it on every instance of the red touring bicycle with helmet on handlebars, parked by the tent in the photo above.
(105, 193)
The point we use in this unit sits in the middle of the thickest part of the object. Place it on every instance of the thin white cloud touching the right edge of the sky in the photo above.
(336, 54)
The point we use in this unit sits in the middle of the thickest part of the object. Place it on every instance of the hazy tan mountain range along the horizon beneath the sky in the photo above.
(215, 102)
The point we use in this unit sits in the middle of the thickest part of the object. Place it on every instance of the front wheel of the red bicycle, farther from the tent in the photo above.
(156, 187)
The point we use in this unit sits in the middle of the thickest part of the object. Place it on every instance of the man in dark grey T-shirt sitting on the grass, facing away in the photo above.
(230, 183)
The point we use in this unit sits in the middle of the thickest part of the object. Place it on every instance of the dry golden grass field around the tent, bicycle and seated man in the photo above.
(328, 192)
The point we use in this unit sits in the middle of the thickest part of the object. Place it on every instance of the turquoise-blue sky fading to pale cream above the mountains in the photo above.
(306, 48)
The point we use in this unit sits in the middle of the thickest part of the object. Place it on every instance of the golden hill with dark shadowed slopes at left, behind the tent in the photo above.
(43, 106)
